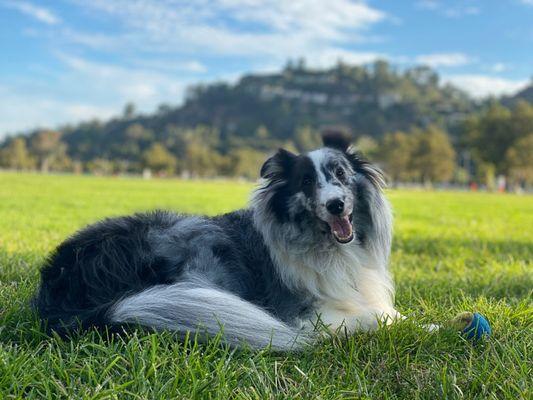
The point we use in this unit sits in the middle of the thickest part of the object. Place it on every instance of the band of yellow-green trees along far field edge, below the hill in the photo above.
(497, 140)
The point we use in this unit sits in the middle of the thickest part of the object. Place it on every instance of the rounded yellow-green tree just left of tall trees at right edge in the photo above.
(433, 157)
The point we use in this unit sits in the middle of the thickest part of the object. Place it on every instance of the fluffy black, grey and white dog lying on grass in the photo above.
(311, 249)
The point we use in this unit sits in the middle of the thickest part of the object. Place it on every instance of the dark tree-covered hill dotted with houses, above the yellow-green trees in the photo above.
(370, 100)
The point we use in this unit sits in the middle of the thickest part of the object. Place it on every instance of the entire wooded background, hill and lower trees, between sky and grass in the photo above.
(416, 129)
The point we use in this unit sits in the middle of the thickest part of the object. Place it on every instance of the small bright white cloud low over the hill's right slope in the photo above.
(485, 85)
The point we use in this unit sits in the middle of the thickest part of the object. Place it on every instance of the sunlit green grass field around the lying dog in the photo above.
(452, 252)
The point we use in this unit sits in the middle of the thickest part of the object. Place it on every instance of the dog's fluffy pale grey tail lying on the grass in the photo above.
(192, 307)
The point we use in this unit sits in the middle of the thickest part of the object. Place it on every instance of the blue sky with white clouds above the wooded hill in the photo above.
(63, 61)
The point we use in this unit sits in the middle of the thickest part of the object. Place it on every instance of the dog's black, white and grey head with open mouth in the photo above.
(321, 188)
